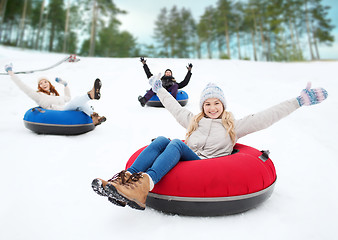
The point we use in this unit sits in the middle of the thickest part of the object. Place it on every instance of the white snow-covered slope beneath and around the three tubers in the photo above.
(46, 180)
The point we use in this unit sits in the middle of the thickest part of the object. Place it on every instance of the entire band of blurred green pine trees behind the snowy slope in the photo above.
(260, 30)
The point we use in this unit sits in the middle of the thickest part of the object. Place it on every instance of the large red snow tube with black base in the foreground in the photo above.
(216, 186)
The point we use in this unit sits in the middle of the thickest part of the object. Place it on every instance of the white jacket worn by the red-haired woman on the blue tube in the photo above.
(42, 99)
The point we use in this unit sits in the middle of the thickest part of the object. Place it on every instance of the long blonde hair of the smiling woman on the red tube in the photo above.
(227, 121)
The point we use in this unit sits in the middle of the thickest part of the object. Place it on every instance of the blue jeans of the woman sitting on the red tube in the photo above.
(161, 156)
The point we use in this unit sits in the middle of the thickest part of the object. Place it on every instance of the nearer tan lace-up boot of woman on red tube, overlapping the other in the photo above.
(134, 192)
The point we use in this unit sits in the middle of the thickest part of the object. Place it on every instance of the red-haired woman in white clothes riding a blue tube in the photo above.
(47, 96)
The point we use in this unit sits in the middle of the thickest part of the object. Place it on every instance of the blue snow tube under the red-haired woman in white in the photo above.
(44, 121)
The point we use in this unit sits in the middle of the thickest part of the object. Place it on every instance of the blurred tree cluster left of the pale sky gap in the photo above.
(60, 25)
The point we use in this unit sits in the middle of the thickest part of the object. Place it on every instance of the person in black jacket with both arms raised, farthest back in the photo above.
(168, 82)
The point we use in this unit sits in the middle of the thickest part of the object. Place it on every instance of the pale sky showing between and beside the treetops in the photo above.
(141, 17)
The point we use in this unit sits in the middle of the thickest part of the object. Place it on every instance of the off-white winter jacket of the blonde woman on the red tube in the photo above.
(210, 139)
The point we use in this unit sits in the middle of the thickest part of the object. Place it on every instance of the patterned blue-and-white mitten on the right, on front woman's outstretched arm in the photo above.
(312, 96)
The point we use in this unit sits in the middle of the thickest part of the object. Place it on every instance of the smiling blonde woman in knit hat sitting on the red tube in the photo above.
(210, 134)
